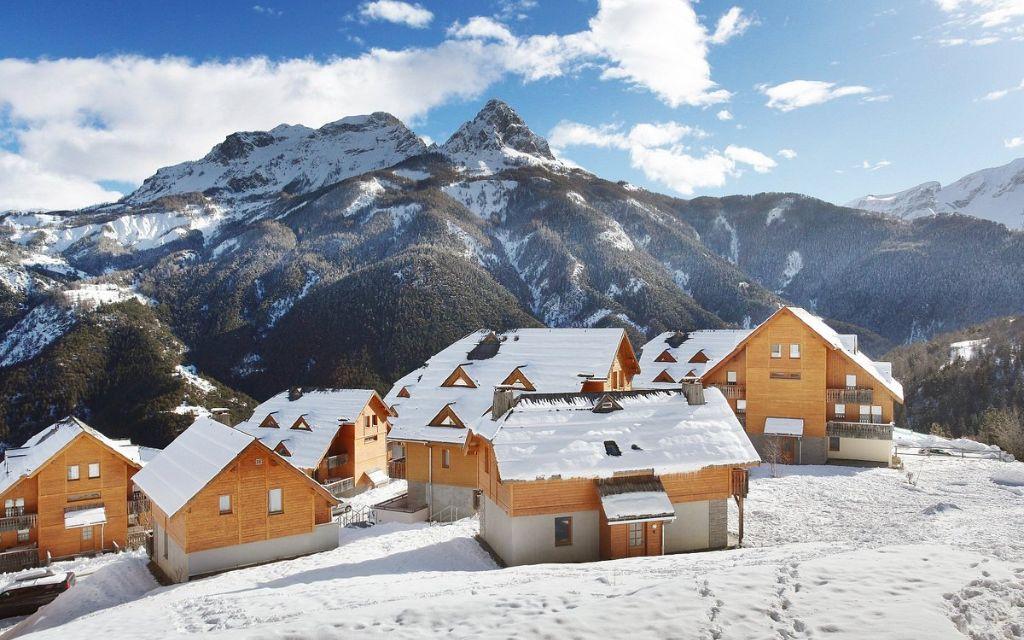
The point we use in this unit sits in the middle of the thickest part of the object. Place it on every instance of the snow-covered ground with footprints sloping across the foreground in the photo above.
(831, 552)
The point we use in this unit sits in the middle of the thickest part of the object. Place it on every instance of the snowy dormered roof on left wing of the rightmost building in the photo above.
(716, 345)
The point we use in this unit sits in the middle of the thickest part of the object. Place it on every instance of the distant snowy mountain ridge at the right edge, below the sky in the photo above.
(996, 194)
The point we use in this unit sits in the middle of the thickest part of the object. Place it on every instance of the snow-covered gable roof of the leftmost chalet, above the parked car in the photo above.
(26, 460)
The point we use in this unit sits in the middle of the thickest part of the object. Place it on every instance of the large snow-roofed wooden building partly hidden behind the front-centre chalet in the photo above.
(435, 405)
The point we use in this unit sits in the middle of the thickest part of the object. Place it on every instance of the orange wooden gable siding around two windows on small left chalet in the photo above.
(248, 481)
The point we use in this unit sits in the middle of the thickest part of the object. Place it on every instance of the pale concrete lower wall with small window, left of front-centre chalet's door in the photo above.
(531, 540)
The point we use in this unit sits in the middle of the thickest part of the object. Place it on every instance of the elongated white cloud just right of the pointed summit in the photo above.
(658, 151)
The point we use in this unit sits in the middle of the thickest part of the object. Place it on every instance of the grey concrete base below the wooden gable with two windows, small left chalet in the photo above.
(323, 538)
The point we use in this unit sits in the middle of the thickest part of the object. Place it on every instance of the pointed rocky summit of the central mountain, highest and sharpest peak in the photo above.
(495, 140)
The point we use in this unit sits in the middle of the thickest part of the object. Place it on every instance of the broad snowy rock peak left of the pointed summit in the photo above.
(288, 158)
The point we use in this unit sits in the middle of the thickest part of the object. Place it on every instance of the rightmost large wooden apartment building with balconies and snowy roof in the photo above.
(805, 394)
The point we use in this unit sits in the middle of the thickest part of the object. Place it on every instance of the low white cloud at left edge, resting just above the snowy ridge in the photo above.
(24, 185)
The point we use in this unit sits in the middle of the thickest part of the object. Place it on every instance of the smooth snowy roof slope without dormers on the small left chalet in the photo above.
(189, 463)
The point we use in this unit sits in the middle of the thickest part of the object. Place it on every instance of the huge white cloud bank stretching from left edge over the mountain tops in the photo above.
(121, 118)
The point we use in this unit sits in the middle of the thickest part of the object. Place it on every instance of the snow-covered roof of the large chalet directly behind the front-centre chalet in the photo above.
(554, 361)
